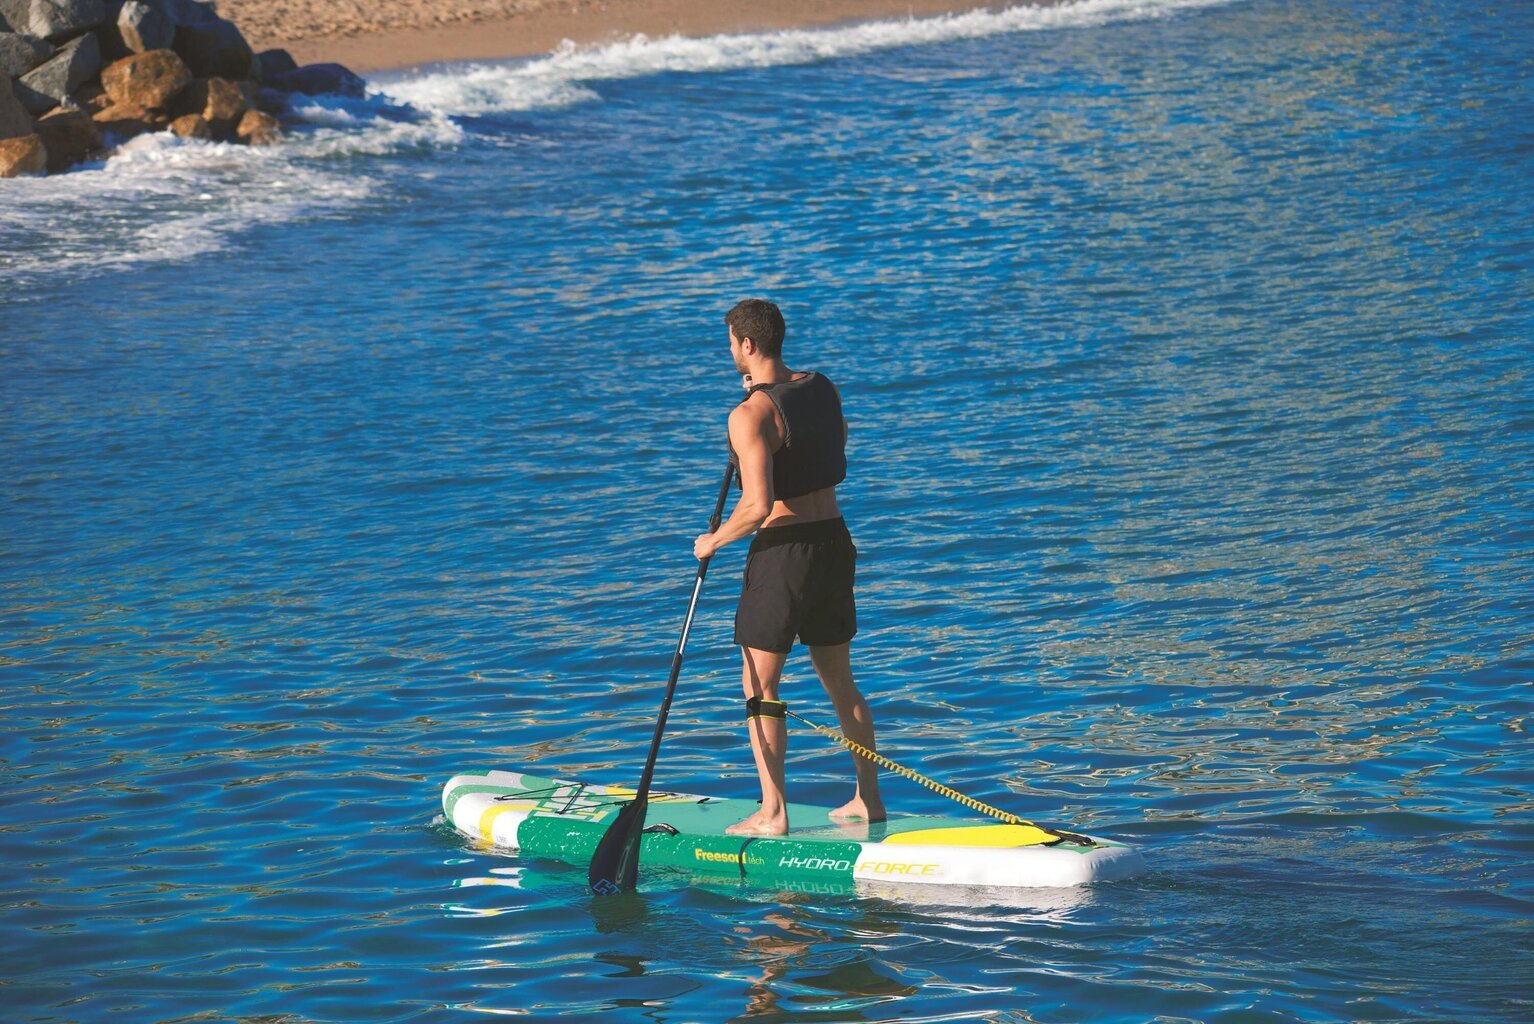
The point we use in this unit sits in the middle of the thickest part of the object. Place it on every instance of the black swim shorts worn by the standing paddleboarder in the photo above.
(798, 583)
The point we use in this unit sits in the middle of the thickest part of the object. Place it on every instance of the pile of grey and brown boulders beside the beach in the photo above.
(81, 77)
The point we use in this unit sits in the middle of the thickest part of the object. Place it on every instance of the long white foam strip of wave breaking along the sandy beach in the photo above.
(558, 80)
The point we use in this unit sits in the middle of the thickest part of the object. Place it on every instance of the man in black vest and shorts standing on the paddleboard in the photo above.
(789, 439)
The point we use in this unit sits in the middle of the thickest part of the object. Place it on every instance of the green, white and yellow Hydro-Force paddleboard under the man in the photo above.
(564, 821)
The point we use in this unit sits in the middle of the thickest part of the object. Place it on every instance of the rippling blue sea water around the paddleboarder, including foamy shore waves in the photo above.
(1188, 358)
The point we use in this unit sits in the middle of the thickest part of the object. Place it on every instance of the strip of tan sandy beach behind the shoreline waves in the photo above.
(387, 34)
